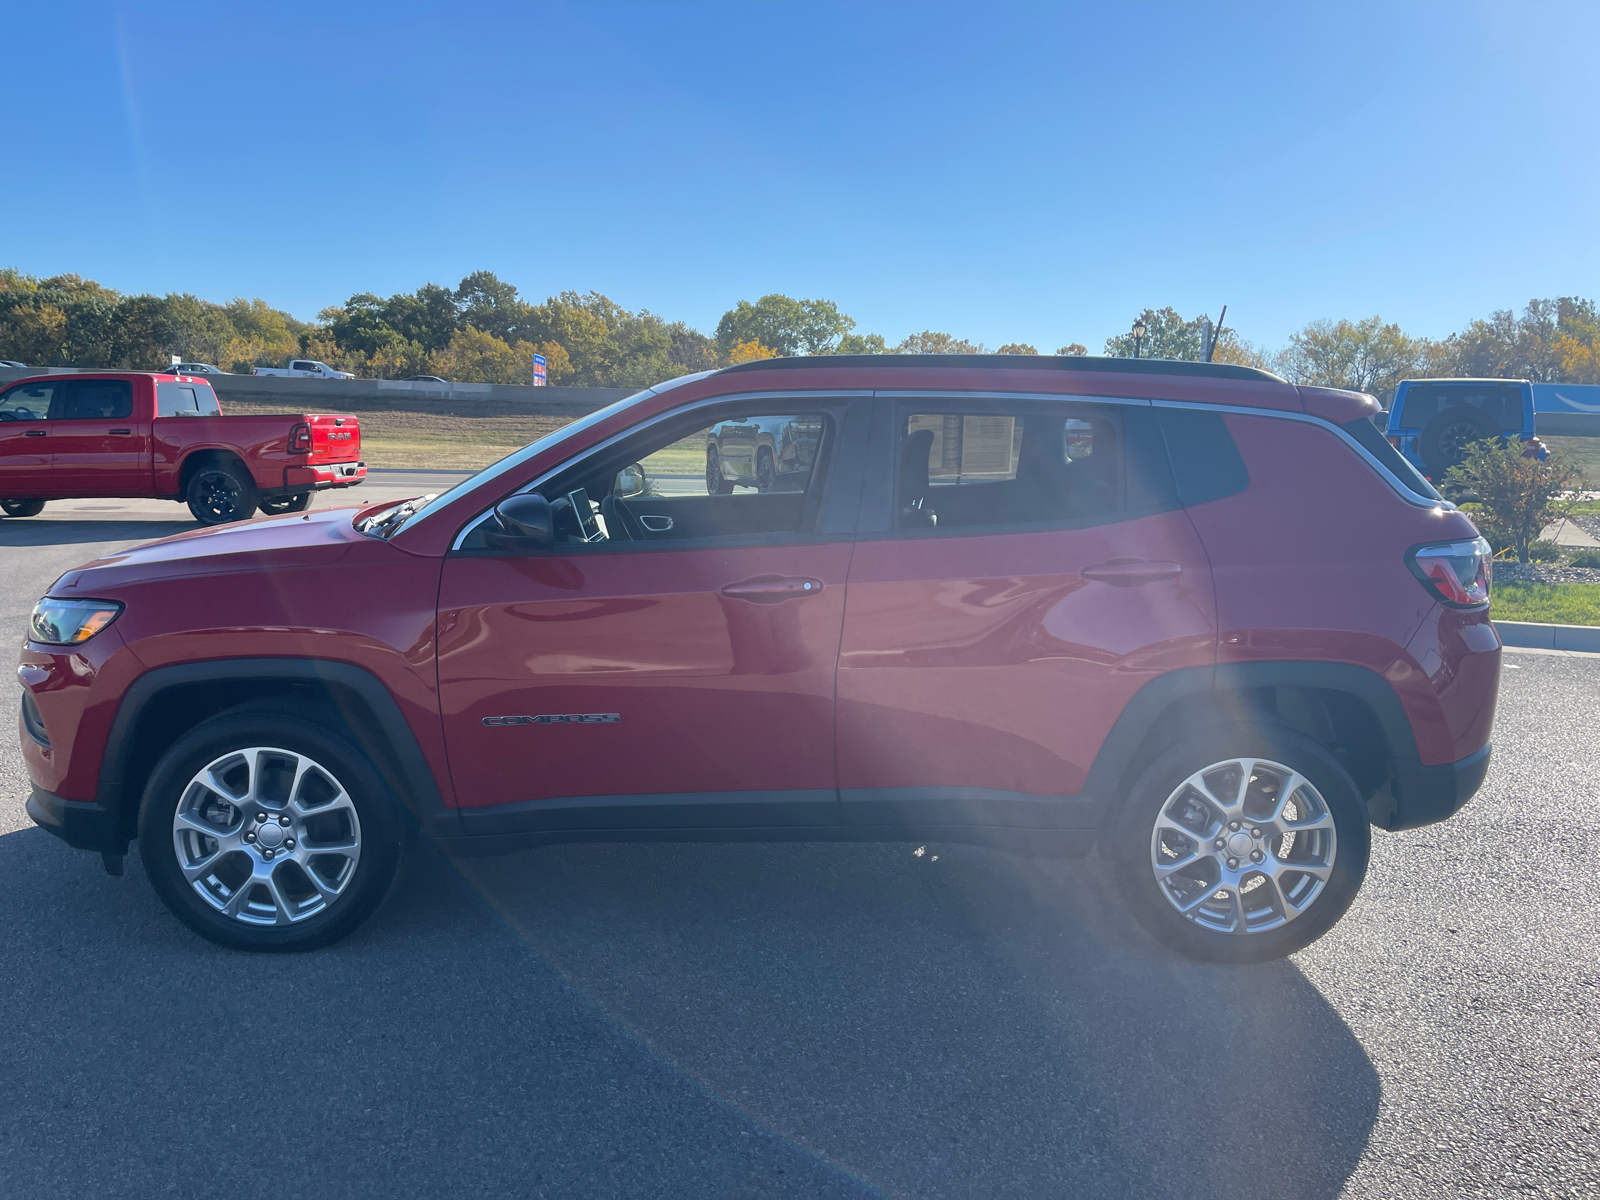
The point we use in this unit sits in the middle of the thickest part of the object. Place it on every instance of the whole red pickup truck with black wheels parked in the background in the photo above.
(143, 434)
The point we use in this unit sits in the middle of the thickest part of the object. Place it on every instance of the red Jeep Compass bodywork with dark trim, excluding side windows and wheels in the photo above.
(921, 684)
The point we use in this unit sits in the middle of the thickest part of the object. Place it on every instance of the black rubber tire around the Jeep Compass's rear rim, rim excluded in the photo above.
(1134, 828)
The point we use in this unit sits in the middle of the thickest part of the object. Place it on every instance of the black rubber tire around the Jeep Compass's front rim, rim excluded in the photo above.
(375, 809)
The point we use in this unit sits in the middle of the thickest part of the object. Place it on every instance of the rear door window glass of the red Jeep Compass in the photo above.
(1028, 466)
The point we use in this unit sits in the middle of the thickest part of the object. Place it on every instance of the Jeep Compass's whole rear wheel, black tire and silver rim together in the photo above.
(1241, 846)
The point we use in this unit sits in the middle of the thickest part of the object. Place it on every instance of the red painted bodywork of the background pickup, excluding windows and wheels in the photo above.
(145, 455)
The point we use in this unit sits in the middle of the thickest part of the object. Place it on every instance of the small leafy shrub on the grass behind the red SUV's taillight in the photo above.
(1518, 497)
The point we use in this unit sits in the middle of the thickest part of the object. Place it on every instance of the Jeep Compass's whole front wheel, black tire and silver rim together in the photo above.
(263, 831)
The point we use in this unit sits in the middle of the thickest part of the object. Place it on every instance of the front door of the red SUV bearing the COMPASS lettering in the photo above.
(676, 676)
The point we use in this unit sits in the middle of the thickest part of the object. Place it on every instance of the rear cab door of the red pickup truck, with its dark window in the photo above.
(97, 449)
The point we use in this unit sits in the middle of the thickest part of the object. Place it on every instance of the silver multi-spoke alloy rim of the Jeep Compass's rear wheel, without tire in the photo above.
(1244, 846)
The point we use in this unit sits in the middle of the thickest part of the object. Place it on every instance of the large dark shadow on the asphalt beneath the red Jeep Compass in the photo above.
(758, 1020)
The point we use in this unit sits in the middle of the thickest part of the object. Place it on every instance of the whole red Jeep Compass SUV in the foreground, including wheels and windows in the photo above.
(1188, 612)
